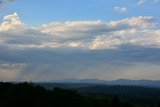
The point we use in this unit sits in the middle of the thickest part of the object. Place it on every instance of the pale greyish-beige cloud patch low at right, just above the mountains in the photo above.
(140, 70)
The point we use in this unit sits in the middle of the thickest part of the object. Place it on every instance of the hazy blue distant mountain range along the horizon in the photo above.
(146, 83)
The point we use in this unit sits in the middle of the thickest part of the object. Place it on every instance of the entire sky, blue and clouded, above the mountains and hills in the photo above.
(51, 40)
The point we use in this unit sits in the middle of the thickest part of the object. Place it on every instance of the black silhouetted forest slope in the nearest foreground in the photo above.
(32, 95)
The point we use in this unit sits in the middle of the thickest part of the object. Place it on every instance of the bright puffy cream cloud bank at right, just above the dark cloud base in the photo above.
(147, 38)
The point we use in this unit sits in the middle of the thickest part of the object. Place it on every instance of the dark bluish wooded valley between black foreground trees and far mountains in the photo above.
(138, 94)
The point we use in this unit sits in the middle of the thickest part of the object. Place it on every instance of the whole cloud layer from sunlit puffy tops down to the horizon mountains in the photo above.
(127, 48)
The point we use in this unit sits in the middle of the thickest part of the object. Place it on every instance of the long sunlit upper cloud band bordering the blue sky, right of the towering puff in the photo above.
(89, 28)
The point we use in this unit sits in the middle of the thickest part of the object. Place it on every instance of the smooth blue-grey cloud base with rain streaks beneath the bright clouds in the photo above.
(51, 64)
